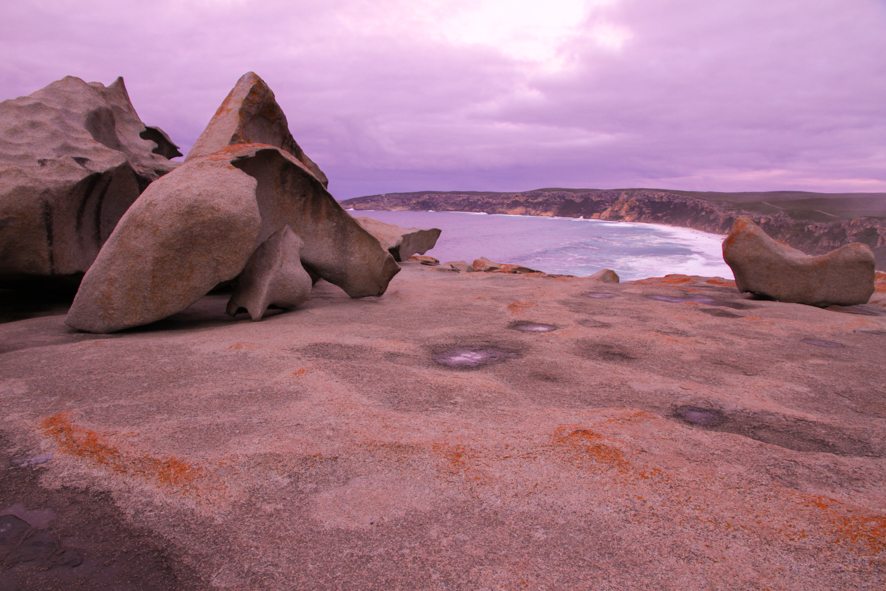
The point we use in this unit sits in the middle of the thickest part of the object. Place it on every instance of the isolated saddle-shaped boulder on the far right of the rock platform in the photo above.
(774, 270)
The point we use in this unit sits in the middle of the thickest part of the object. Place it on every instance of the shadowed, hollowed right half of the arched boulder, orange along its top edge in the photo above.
(335, 248)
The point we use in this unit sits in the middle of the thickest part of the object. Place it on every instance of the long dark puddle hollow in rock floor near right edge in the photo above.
(790, 433)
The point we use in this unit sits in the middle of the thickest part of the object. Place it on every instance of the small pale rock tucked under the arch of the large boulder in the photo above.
(273, 276)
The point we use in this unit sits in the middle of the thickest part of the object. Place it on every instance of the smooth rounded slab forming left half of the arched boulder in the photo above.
(189, 231)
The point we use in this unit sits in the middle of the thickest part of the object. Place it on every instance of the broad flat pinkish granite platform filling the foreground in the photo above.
(467, 431)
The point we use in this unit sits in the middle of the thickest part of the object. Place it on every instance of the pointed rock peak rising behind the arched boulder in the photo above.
(250, 115)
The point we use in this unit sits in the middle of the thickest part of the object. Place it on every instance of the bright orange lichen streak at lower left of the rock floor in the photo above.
(89, 445)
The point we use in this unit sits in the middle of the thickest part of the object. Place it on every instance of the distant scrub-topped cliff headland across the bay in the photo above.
(812, 222)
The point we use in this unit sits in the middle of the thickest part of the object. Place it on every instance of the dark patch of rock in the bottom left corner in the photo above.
(77, 539)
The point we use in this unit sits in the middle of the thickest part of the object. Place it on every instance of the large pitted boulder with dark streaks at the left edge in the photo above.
(73, 158)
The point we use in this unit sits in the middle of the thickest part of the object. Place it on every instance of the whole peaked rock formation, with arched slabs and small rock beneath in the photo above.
(201, 224)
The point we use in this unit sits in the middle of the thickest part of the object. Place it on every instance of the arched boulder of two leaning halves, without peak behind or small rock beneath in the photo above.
(198, 226)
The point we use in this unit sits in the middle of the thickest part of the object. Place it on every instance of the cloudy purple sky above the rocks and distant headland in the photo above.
(397, 95)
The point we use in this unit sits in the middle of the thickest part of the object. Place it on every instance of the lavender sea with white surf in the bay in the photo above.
(571, 246)
